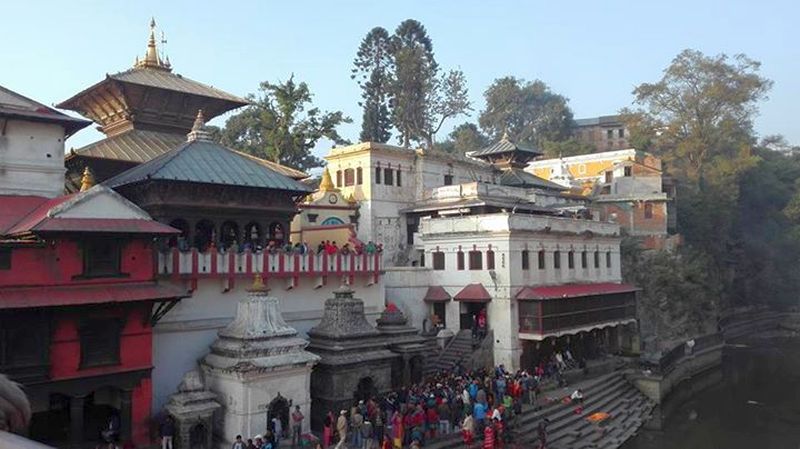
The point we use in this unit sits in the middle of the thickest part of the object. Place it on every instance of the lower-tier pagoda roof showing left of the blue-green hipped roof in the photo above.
(133, 146)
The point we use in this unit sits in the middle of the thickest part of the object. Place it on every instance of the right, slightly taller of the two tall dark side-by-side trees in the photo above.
(414, 82)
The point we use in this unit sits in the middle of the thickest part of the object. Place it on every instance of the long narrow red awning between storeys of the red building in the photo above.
(26, 297)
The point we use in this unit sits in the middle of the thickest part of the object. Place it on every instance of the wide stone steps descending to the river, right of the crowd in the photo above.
(610, 393)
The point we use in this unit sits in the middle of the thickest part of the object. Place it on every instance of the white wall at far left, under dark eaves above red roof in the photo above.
(32, 159)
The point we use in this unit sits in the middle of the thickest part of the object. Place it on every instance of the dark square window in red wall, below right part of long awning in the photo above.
(100, 342)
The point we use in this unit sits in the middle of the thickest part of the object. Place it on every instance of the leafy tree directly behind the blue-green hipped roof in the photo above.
(281, 125)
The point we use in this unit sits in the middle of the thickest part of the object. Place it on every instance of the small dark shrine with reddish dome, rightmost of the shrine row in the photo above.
(405, 341)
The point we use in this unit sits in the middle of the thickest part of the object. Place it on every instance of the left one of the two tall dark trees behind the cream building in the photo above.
(372, 69)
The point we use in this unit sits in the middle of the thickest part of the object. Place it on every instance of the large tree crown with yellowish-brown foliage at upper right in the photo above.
(702, 109)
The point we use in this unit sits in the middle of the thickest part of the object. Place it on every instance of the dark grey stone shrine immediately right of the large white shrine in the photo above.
(355, 360)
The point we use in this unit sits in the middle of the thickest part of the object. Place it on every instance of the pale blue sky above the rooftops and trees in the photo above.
(592, 52)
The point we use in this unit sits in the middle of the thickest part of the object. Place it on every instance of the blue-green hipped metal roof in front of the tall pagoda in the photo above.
(206, 162)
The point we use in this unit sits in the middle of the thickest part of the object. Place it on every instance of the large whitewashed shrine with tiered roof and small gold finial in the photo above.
(259, 369)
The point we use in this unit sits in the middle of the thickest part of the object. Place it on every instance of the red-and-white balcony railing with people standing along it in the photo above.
(194, 265)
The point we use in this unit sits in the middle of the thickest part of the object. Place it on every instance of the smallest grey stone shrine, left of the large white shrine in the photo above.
(193, 407)
